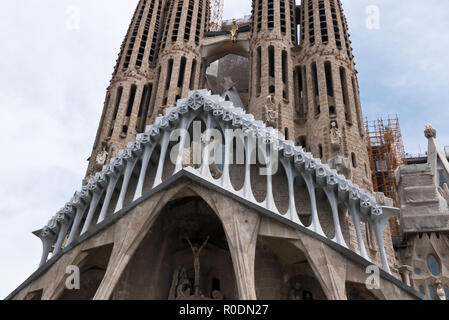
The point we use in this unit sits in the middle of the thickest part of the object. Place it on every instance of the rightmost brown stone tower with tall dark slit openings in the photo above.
(328, 113)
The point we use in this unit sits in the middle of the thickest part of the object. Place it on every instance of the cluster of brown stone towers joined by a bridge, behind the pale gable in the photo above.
(302, 78)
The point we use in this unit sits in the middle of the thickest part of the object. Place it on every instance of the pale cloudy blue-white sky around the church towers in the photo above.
(55, 76)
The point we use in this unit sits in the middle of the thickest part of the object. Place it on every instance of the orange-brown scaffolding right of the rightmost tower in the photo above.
(386, 154)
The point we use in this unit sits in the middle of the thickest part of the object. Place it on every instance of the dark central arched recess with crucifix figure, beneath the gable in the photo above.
(164, 264)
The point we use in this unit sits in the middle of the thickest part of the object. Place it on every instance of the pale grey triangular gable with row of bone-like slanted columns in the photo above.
(216, 113)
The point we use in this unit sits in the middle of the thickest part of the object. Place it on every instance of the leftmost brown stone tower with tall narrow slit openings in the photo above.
(129, 96)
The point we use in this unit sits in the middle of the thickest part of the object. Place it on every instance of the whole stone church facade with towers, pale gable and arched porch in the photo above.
(152, 223)
